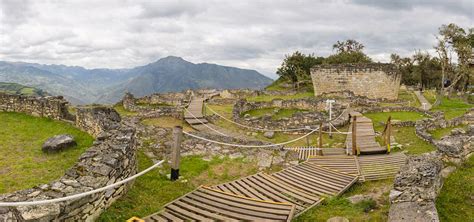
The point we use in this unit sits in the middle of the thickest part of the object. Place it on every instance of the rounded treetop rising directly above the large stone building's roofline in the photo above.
(349, 51)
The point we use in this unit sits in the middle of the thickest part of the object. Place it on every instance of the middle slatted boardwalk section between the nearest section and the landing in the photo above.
(304, 185)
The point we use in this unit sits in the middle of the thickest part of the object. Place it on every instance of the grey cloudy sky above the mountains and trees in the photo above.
(245, 33)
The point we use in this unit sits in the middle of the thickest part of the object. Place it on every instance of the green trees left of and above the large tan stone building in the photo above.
(296, 67)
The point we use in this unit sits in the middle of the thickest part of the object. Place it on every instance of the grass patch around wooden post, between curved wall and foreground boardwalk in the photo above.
(153, 190)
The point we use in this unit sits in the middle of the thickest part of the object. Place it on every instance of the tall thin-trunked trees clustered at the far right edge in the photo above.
(441, 71)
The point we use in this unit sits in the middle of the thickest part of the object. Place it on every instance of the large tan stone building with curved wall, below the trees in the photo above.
(374, 80)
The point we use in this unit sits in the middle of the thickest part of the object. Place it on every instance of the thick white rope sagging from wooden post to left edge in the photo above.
(79, 195)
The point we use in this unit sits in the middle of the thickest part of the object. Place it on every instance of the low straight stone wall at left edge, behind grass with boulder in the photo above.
(51, 107)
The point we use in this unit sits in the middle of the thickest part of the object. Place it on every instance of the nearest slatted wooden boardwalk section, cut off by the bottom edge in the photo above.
(207, 204)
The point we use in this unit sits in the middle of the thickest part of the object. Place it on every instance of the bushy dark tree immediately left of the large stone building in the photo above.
(296, 68)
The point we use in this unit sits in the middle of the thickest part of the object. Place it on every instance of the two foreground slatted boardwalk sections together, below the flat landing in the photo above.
(287, 192)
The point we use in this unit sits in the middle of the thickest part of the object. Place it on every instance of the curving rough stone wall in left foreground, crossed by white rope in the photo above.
(111, 158)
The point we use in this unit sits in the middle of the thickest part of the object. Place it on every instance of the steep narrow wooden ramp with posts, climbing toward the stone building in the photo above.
(365, 136)
